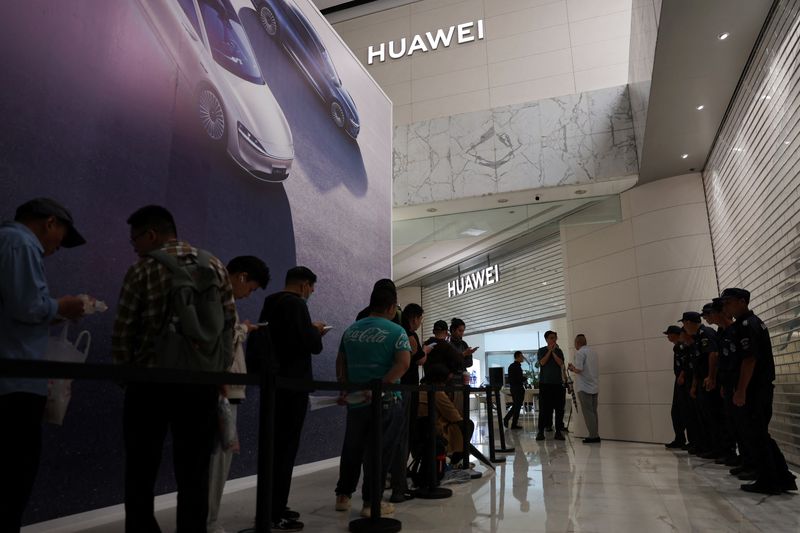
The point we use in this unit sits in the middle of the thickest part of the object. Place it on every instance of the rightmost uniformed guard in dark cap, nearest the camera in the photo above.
(753, 394)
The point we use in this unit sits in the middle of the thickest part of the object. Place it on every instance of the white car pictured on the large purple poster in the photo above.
(233, 103)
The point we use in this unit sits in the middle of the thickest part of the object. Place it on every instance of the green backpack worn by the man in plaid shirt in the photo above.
(195, 335)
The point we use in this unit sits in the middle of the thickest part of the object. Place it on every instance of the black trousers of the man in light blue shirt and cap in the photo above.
(20, 449)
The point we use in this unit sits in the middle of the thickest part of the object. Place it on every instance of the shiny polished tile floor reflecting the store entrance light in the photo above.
(556, 486)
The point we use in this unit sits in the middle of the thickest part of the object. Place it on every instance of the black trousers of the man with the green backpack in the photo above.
(189, 412)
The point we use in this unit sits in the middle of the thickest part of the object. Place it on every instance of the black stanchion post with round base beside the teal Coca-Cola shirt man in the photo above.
(376, 523)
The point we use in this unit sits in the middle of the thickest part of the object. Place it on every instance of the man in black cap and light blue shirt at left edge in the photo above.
(40, 228)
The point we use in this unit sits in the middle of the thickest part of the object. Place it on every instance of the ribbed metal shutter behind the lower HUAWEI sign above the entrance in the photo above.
(531, 288)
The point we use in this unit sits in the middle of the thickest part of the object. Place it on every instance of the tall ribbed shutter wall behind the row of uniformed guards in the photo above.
(752, 182)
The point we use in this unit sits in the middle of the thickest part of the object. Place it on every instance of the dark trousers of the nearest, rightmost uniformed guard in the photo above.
(756, 415)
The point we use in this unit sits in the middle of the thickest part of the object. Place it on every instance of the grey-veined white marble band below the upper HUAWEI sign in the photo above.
(574, 139)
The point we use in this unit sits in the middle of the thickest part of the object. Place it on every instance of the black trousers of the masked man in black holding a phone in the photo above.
(290, 414)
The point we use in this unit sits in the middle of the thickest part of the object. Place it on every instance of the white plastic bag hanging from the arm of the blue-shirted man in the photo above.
(59, 391)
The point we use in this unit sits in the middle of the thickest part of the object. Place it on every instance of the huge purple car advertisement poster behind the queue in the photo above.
(250, 120)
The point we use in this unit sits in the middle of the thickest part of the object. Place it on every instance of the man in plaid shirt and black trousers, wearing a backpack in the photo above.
(188, 411)
